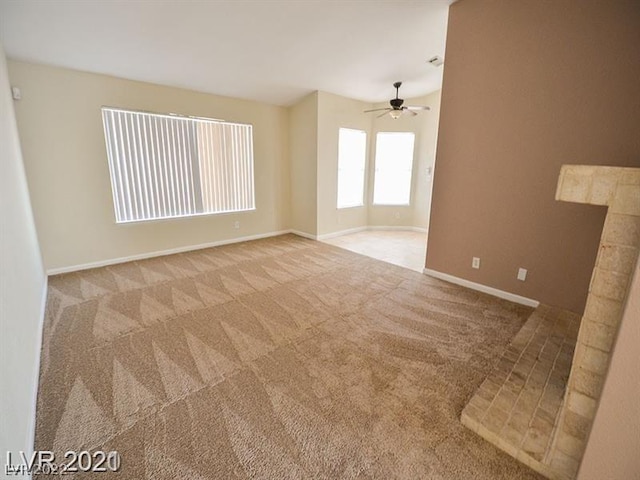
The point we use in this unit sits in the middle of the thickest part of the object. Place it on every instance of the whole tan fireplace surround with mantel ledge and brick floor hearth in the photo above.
(537, 404)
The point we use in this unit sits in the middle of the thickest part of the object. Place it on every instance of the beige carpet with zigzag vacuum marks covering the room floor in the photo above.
(279, 358)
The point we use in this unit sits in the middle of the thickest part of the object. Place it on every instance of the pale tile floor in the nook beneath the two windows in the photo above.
(405, 248)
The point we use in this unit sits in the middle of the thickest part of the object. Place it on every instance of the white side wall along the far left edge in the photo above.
(22, 288)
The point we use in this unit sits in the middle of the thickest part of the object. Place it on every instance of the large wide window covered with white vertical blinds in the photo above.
(165, 166)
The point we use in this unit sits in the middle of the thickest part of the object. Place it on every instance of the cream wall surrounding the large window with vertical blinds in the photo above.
(65, 158)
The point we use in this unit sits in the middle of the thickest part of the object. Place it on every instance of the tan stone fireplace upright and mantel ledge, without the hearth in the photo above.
(618, 188)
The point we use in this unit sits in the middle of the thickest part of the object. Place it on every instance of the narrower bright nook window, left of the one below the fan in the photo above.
(352, 148)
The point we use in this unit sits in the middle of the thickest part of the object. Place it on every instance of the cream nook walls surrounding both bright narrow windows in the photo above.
(314, 125)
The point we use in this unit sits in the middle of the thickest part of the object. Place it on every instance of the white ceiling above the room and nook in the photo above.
(274, 51)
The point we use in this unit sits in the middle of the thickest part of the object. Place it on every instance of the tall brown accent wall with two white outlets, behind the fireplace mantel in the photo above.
(528, 86)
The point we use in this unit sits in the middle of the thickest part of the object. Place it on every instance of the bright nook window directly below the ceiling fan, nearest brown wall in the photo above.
(394, 162)
